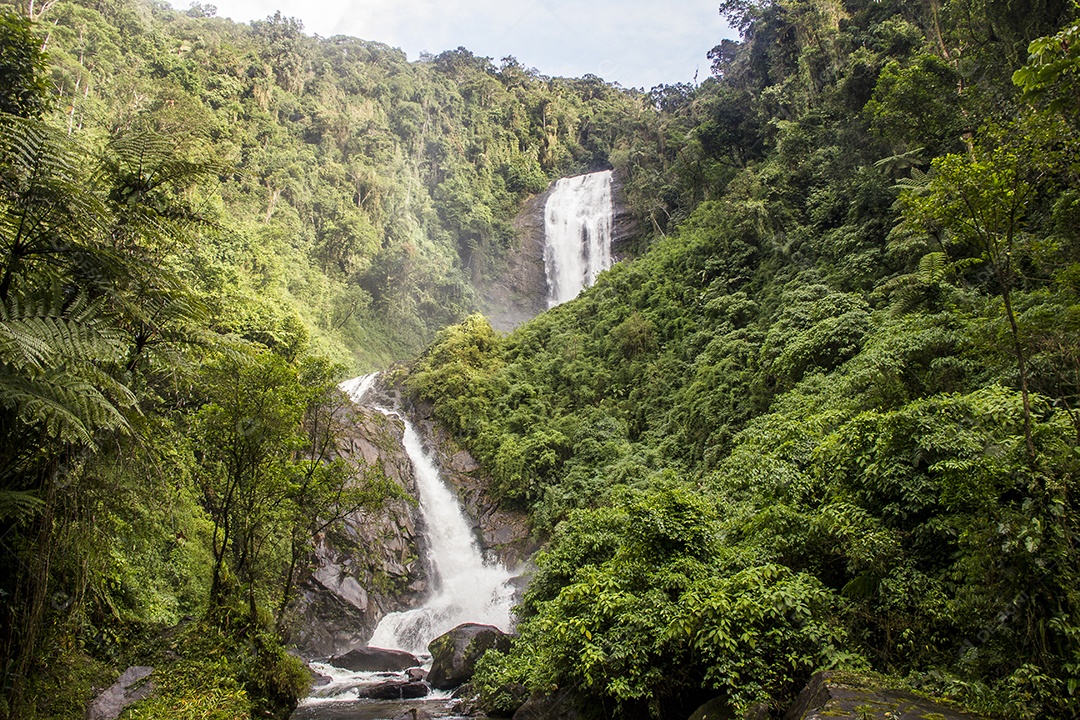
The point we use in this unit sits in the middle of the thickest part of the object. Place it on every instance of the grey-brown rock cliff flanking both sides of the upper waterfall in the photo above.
(520, 293)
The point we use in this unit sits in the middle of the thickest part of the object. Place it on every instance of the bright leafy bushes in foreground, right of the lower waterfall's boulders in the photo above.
(656, 622)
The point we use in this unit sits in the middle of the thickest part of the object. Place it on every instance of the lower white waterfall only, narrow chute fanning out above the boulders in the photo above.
(468, 589)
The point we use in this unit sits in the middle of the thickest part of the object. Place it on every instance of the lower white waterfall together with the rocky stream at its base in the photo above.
(468, 589)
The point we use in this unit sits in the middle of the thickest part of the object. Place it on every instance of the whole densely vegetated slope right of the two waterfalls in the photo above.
(830, 420)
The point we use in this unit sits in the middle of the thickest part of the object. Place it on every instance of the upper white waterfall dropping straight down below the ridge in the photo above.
(577, 235)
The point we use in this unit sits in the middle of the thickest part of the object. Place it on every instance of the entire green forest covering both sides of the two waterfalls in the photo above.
(829, 417)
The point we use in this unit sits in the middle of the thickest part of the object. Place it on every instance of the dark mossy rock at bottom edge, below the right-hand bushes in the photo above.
(839, 696)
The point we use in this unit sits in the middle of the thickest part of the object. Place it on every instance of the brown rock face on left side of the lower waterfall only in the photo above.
(371, 564)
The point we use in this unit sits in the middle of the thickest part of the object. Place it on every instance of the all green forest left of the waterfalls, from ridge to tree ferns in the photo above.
(205, 226)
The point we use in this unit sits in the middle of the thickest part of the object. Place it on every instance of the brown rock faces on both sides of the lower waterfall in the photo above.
(373, 564)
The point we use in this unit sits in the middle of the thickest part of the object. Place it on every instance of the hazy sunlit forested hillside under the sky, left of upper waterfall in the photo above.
(363, 194)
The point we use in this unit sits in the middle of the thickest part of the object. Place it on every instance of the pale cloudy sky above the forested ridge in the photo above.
(637, 44)
